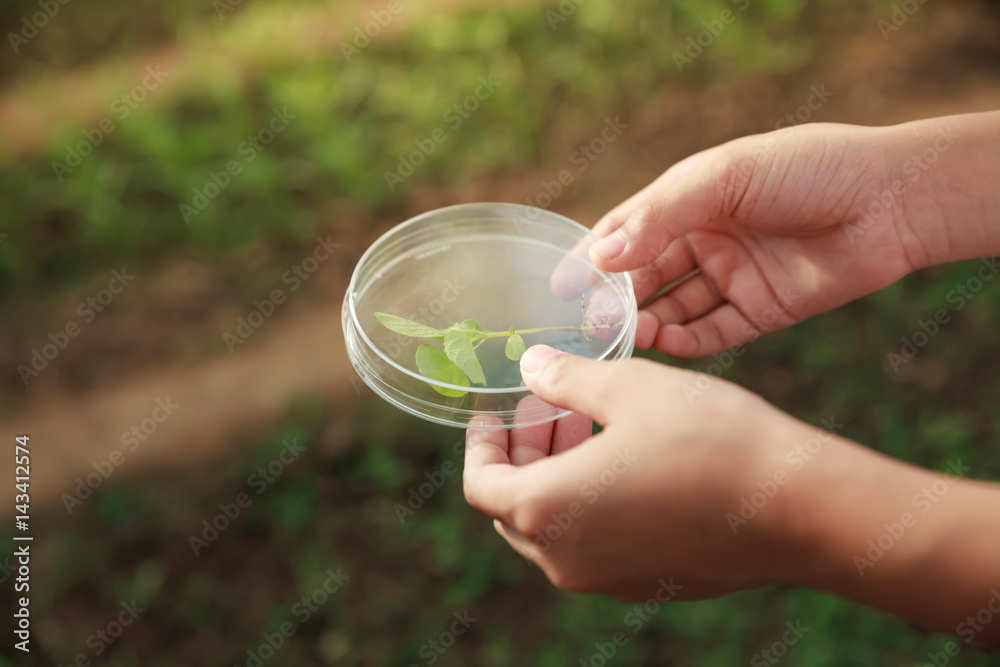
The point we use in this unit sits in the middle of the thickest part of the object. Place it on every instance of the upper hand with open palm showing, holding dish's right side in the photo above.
(768, 221)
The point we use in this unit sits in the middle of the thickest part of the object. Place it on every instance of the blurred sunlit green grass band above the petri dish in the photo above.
(352, 120)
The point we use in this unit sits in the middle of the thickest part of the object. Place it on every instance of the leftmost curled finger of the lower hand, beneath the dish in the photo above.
(489, 479)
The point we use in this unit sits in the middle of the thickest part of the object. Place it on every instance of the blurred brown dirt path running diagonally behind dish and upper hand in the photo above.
(224, 398)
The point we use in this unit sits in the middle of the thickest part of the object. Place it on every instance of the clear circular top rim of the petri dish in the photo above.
(403, 226)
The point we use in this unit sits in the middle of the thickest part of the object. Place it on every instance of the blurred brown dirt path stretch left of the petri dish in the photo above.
(205, 407)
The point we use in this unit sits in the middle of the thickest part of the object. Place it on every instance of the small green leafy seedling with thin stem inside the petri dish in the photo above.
(457, 363)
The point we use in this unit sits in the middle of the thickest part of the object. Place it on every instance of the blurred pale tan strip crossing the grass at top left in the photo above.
(31, 112)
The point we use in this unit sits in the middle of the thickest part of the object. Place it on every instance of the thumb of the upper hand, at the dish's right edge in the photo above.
(700, 189)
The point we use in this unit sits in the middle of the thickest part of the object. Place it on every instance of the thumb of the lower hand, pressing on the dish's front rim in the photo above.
(594, 388)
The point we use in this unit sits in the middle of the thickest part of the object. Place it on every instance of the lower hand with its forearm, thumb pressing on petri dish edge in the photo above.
(694, 501)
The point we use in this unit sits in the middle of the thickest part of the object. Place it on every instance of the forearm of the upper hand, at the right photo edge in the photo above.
(944, 181)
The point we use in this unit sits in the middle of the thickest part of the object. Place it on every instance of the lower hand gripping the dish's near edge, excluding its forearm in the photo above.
(647, 498)
